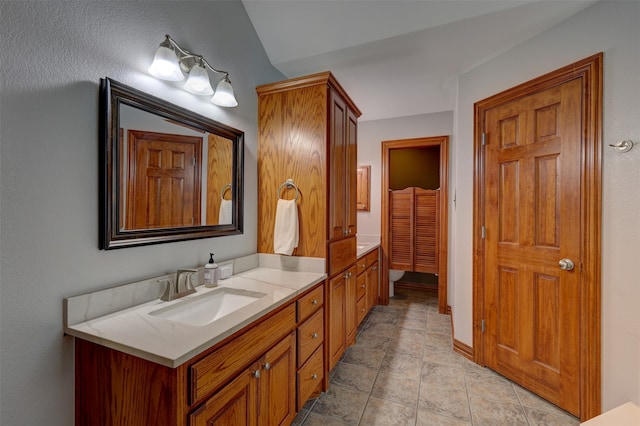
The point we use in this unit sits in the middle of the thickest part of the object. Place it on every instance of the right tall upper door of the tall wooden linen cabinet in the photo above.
(351, 174)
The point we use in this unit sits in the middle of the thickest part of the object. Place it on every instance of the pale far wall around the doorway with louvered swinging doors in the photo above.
(370, 136)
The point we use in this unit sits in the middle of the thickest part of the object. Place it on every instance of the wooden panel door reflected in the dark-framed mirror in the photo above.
(164, 180)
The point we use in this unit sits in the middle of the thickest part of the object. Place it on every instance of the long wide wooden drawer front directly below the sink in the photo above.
(221, 365)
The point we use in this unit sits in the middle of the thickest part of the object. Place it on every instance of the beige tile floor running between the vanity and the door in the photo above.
(402, 371)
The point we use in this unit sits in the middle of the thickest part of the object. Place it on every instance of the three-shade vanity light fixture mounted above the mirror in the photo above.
(171, 62)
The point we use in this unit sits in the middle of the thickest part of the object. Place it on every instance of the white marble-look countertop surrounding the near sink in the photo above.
(169, 343)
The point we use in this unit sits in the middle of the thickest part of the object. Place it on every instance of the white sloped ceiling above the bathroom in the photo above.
(398, 57)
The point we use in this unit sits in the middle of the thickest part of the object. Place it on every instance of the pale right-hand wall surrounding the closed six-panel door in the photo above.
(611, 27)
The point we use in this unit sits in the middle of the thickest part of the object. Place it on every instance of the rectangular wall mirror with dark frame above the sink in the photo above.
(167, 174)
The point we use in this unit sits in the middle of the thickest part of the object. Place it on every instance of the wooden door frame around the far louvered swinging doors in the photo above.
(388, 148)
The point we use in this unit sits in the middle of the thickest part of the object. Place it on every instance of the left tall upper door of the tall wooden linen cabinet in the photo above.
(337, 165)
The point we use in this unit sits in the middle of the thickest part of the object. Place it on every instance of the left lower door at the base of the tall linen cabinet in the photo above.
(336, 312)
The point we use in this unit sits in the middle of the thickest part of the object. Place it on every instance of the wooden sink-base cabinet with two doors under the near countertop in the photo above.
(249, 378)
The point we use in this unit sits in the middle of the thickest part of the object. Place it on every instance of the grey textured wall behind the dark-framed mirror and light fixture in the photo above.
(53, 54)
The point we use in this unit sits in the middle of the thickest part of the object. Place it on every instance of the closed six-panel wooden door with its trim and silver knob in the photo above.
(537, 210)
